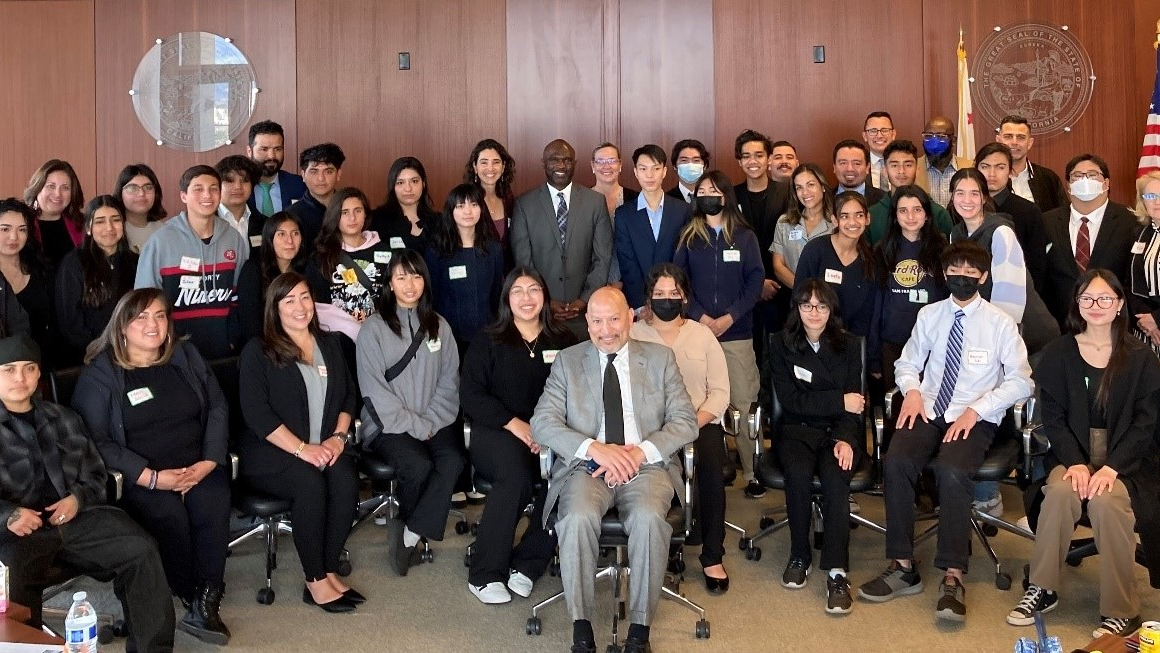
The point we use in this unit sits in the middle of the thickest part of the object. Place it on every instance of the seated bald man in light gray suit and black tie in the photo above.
(617, 415)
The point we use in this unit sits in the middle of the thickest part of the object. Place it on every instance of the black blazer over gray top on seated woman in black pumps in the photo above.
(278, 396)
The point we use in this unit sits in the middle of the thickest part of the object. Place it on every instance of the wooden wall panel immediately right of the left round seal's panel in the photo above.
(351, 91)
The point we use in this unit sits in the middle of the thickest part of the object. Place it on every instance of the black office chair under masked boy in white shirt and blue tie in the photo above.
(1011, 452)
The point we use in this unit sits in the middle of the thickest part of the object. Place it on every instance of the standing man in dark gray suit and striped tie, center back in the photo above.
(564, 233)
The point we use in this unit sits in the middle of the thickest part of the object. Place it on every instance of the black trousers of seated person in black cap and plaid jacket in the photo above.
(100, 540)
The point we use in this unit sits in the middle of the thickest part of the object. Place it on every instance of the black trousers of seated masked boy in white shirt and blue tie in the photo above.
(954, 465)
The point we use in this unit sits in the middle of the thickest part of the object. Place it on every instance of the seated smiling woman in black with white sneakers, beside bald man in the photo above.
(504, 375)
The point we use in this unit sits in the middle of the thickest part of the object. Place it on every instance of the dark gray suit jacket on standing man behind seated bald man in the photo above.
(583, 266)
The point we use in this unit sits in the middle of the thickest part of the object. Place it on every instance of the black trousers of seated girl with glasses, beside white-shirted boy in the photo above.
(804, 452)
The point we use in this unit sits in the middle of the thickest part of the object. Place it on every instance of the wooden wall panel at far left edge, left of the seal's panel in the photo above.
(47, 50)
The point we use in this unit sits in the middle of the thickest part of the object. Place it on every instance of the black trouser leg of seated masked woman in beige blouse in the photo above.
(710, 500)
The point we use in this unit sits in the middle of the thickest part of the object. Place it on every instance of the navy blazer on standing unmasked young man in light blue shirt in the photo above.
(637, 252)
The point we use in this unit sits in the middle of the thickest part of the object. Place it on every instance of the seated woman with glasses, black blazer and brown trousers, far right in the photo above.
(1100, 396)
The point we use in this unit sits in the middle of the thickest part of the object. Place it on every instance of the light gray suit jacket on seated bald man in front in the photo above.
(571, 409)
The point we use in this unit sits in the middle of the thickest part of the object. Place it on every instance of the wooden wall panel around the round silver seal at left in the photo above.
(263, 30)
